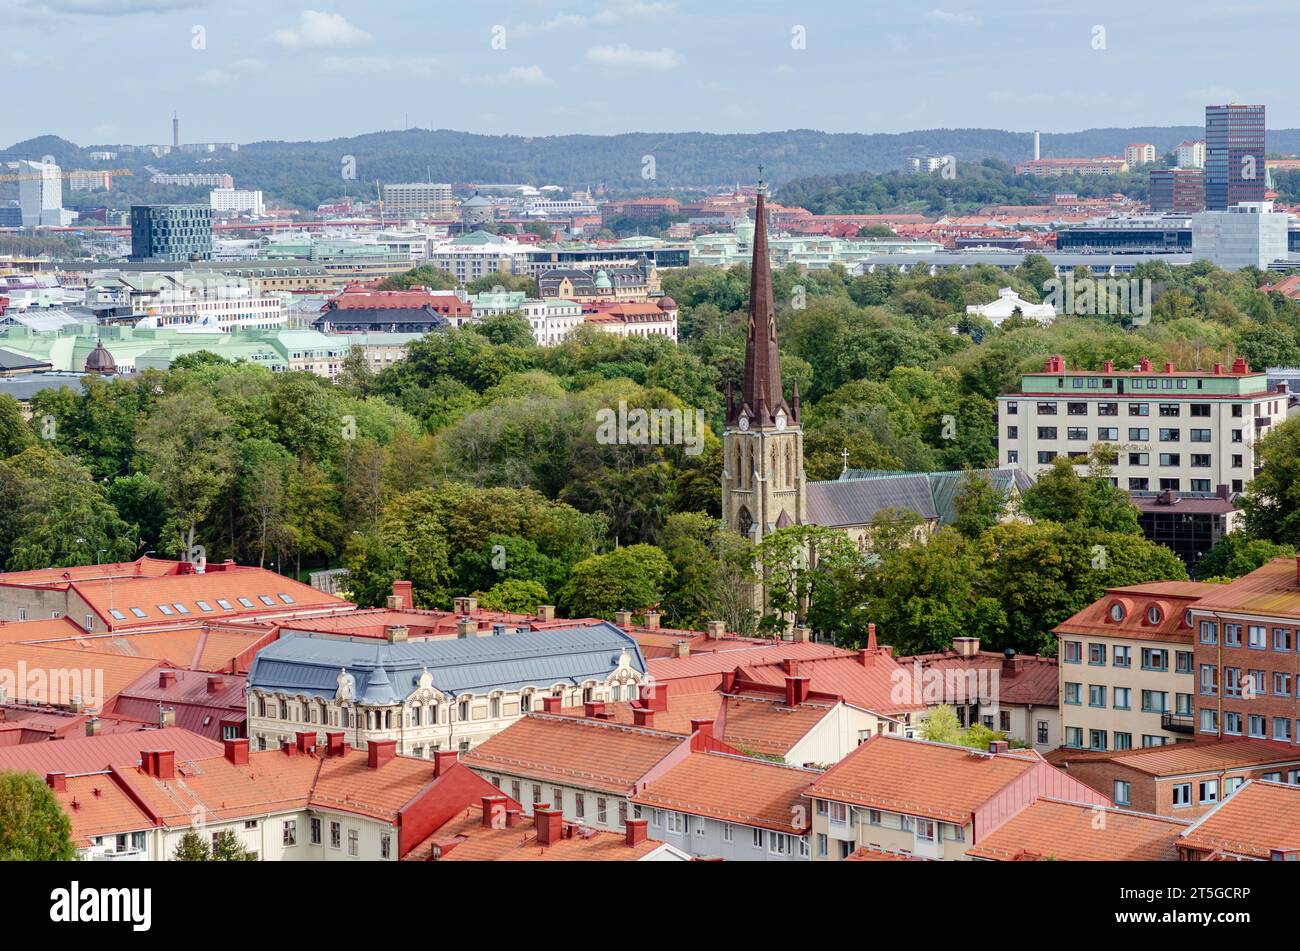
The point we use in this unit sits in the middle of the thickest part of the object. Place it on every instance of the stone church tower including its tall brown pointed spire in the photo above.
(764, 484)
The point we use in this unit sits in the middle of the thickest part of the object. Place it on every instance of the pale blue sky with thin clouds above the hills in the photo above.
(107, 72)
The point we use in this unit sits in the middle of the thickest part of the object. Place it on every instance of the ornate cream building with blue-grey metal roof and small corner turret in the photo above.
(437, 694)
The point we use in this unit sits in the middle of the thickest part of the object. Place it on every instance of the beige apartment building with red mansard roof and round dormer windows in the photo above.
(1128, 672)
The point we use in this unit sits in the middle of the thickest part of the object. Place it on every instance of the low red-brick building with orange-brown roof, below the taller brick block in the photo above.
(1185, 780)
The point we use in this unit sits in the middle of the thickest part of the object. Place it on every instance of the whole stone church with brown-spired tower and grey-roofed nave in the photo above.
(765, 488)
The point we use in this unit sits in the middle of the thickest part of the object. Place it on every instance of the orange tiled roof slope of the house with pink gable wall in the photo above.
(921, 779)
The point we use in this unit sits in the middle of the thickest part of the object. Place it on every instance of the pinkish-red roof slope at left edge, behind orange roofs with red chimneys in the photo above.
(94, 754)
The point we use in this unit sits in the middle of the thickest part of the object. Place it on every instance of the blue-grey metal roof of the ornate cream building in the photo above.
(388, 674)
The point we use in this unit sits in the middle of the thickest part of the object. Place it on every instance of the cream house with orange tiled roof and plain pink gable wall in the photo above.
(929, 800)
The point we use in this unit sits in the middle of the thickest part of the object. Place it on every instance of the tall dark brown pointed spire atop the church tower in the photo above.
(762, 396)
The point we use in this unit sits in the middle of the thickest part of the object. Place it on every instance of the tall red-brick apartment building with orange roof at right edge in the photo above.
(1247, 657)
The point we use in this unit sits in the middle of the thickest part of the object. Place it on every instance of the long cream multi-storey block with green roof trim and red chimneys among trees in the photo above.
(1169, 431)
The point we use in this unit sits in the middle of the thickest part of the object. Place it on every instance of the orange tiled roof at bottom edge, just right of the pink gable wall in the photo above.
(1078, 832)
